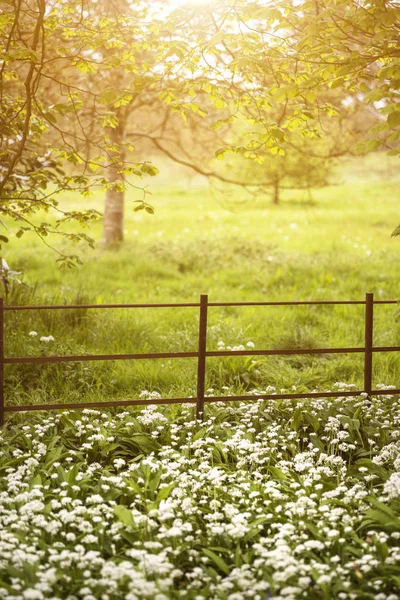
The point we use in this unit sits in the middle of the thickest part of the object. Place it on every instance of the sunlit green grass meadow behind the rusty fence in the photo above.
(232, 247)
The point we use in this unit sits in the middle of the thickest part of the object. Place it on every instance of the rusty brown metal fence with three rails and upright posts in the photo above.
(201, 354)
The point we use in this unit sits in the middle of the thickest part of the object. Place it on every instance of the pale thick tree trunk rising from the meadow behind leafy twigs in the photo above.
(113, 224)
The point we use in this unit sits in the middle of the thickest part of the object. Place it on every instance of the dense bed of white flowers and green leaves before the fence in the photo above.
(282, 500)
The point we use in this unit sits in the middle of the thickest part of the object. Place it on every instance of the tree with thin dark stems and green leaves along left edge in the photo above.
(57, 129)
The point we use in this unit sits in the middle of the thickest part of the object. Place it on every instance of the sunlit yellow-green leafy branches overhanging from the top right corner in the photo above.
(339, 44)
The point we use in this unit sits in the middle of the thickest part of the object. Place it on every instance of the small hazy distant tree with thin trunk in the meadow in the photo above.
(306, 157)
